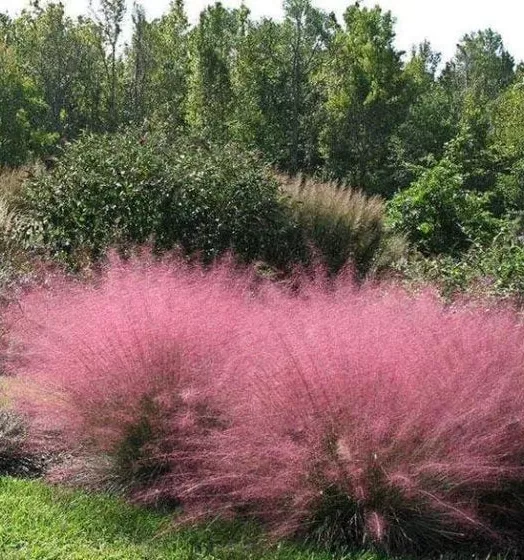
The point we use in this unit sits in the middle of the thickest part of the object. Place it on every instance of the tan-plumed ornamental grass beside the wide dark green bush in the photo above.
(344, 225)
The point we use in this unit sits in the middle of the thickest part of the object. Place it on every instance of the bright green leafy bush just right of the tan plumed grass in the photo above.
(439, 215)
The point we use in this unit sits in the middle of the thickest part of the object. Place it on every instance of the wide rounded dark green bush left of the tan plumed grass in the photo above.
(125, 188)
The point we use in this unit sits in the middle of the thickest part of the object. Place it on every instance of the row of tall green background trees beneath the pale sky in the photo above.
(311, 94)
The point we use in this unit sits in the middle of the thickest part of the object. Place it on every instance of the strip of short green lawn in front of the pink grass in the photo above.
(48, 523)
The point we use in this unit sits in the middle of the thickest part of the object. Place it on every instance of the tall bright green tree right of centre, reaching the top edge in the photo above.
(364, 98)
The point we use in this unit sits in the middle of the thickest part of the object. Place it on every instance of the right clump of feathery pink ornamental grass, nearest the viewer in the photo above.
(373, 416)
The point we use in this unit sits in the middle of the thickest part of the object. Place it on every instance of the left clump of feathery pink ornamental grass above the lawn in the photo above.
(124, 373)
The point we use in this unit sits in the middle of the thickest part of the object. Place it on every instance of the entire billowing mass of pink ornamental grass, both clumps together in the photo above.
(350, 415)
